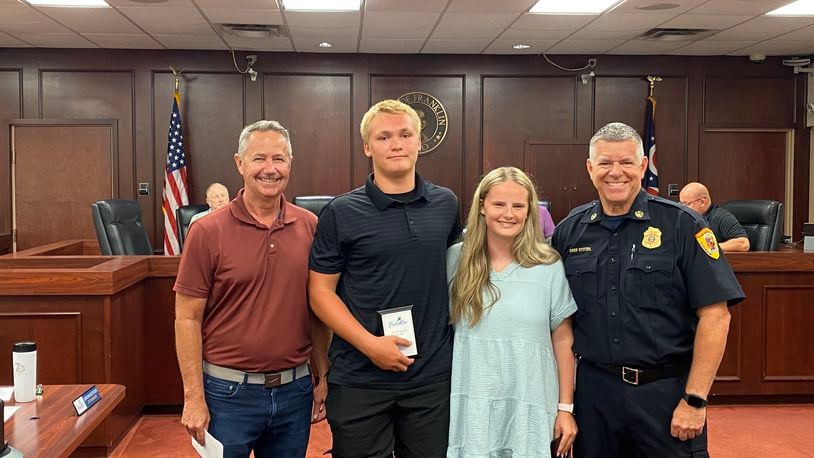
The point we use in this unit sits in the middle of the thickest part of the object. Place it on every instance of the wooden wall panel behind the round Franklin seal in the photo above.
(445, 164)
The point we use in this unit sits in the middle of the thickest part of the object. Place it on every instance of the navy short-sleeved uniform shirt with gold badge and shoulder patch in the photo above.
(638, 280)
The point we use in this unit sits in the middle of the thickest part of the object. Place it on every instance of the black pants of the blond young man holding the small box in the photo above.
(368, 422)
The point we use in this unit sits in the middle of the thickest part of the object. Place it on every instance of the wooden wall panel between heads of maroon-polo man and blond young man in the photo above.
(316, 110)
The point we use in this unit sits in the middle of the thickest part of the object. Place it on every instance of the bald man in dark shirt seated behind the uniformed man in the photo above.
(730, 234)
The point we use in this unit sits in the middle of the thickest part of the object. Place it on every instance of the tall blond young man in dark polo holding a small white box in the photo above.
(381, 247)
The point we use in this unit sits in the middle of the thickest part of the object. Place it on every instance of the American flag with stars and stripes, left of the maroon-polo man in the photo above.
(175, 180)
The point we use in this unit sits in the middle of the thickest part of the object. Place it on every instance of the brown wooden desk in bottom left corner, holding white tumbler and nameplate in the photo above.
(57, 431)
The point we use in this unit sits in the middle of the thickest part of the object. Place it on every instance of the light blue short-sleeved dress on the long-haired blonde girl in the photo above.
(504, 376)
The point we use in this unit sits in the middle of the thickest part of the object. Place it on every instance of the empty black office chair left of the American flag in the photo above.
(119, 228)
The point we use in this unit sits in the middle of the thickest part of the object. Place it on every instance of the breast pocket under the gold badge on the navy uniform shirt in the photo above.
(648, 283)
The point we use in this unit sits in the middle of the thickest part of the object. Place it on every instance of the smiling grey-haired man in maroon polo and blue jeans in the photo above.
(243, 330)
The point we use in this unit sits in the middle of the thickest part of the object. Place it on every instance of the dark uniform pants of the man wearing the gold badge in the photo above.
(617, 419)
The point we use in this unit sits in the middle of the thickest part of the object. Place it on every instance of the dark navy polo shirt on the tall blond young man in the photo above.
(390, 252)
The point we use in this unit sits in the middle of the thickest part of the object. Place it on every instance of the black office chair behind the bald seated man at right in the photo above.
(762, 220)
